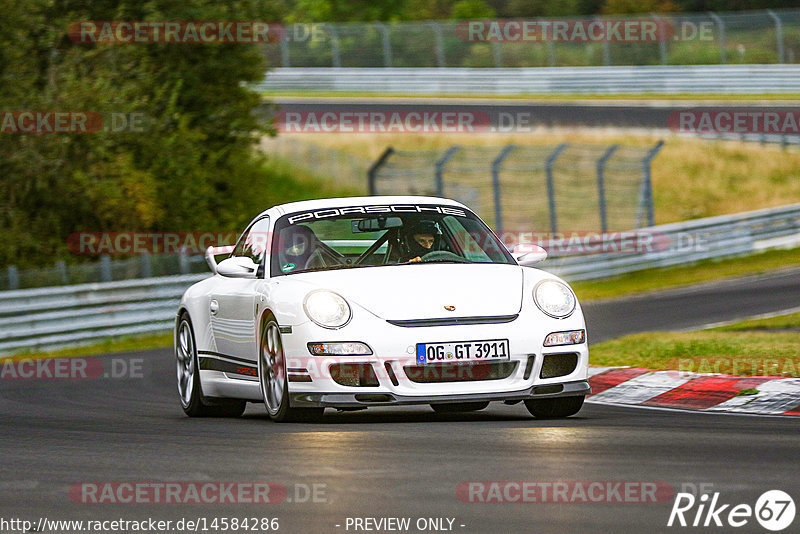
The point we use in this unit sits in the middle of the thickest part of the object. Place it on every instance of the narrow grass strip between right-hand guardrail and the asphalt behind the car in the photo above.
(672, 277)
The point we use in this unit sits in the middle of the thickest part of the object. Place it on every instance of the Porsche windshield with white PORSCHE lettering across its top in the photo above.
(370, 236)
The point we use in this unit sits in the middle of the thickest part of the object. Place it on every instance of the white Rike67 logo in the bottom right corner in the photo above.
(774, 510)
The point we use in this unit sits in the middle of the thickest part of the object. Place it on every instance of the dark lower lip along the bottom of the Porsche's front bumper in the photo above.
(363, 400)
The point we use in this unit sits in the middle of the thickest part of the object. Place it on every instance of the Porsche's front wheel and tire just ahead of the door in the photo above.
(273, 378)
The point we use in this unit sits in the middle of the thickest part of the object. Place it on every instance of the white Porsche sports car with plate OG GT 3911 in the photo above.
(348, 303)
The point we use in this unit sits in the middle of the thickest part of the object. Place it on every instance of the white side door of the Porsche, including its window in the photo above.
(232, 307)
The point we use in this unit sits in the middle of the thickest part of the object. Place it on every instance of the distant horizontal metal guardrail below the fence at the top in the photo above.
(683, 79)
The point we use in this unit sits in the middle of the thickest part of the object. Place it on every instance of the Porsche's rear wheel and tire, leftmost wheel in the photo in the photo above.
(190, 391)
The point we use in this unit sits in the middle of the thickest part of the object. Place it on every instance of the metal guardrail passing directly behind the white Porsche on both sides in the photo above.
(60, 316)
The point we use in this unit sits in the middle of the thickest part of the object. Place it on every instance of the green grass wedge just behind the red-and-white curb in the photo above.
(747, 348)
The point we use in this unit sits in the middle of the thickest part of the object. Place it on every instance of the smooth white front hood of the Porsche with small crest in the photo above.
(422, 291)
